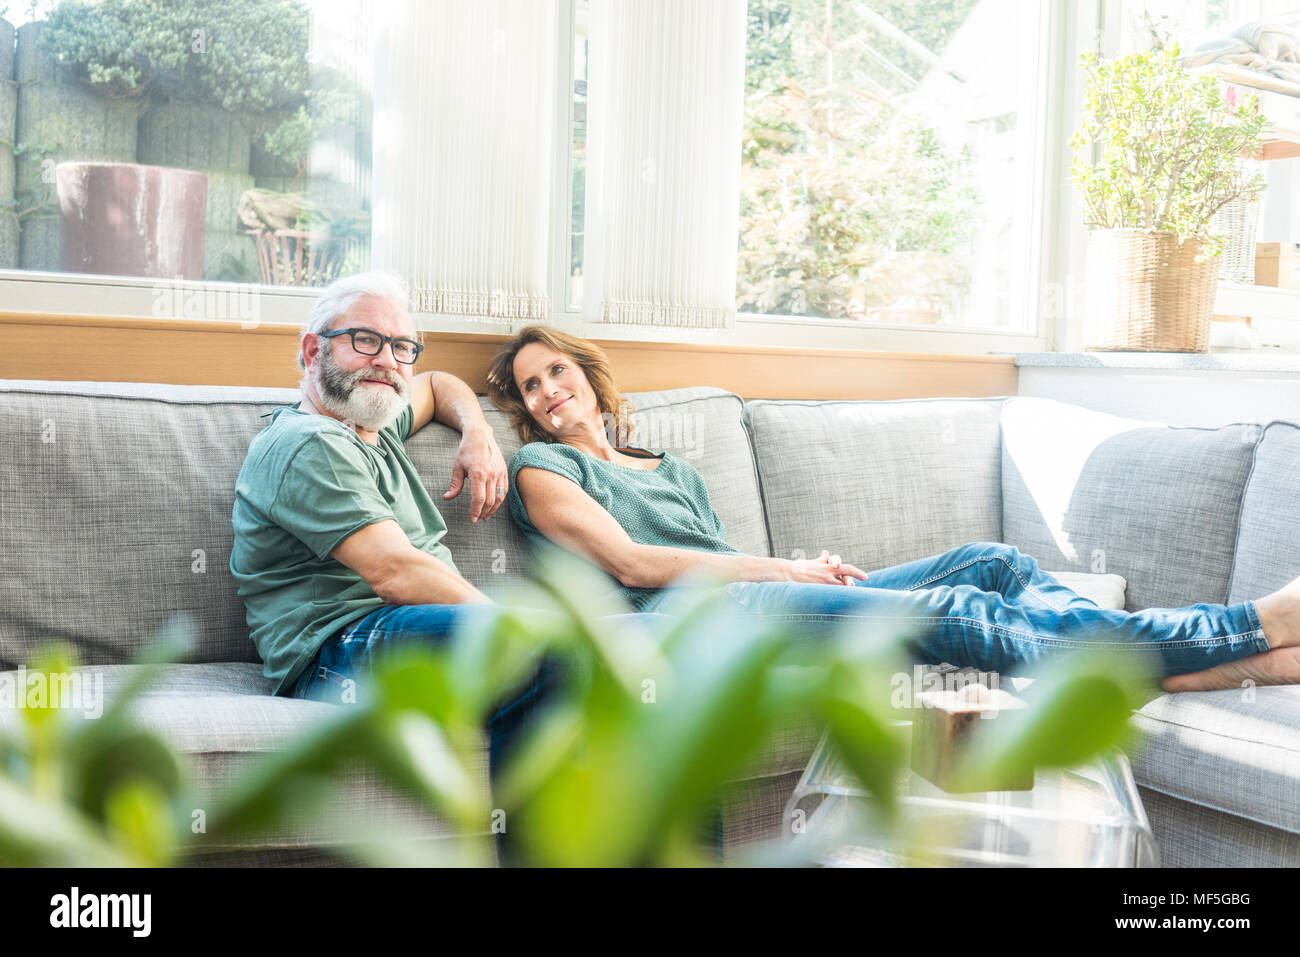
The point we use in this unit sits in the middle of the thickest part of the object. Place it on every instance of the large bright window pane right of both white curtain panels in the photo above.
(890, 162)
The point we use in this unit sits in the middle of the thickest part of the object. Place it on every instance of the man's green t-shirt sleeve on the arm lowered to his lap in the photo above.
(327, 493)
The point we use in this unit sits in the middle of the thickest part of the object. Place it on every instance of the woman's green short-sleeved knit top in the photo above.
(664, 506)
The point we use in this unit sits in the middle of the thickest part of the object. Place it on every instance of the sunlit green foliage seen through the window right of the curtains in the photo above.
(850, 203)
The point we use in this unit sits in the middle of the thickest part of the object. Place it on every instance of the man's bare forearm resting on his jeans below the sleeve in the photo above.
(400, 573)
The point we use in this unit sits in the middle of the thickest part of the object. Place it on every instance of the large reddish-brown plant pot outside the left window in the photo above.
(127, 219)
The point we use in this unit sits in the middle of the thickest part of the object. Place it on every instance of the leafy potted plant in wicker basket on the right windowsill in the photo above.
(1171, 149)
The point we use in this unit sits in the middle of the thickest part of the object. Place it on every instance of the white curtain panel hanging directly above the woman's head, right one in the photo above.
(664, 179)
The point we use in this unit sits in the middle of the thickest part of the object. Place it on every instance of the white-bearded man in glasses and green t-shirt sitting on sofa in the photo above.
(339, 551)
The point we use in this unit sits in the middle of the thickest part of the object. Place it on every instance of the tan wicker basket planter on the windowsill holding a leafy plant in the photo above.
(1150, 295)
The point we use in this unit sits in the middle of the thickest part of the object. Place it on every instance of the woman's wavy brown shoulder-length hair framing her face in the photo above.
(595, 363)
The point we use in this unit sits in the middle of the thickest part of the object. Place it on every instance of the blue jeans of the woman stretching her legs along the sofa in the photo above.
(990, 607)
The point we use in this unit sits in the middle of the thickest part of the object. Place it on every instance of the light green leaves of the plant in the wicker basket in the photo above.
(1171, 148)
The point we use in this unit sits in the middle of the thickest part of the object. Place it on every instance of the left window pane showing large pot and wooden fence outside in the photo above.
(239, 138)
